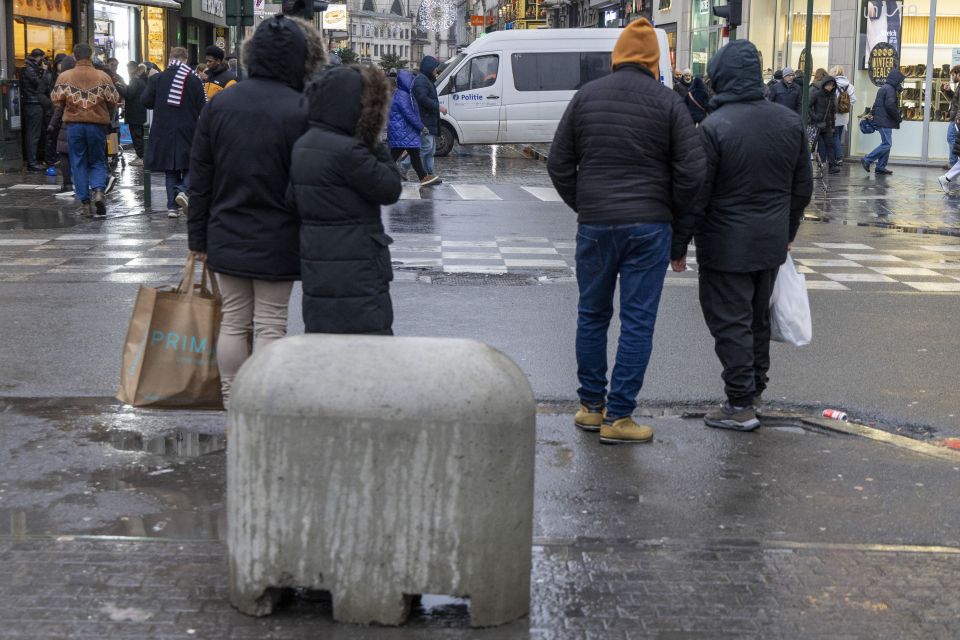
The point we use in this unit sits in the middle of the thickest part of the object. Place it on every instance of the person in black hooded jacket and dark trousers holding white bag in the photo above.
(744, 219)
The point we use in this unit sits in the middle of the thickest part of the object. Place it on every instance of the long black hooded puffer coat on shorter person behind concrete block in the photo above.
(338, 181)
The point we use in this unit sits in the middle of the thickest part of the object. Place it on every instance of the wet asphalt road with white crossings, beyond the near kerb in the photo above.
(882, 350)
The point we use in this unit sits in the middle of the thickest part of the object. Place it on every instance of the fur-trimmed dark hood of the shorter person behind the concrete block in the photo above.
(351, 99)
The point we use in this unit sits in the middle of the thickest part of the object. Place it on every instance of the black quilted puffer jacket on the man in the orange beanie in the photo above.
(626, 151)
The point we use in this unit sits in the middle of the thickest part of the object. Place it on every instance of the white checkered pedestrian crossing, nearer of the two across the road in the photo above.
(927, 267)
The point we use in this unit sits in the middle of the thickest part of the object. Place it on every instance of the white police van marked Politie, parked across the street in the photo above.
(513, 86)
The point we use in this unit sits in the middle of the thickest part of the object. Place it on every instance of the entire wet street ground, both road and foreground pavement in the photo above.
(701, 534)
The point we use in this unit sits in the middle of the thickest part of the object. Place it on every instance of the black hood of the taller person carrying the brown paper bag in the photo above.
(278, 51)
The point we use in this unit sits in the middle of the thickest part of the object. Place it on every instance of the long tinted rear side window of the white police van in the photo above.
(561, 71)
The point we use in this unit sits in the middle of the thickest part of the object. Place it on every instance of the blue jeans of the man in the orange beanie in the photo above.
(639, 254)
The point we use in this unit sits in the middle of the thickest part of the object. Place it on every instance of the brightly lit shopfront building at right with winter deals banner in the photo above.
(922, 39)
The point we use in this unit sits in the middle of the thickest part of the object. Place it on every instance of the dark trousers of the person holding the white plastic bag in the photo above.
(736, 307)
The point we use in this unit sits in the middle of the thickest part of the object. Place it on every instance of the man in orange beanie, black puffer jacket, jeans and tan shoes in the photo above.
(627, 159)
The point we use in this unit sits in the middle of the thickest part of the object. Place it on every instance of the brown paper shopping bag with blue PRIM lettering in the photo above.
(170, 355)
